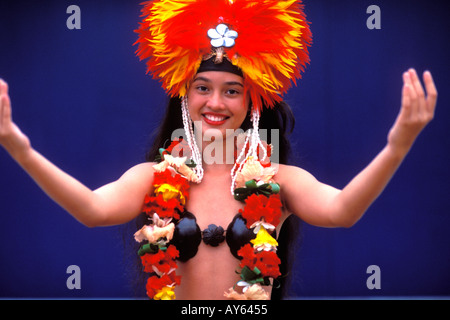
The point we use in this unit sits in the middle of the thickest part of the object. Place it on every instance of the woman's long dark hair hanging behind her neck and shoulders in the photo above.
(279, 117)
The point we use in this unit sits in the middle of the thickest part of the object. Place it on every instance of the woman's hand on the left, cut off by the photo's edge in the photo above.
(11, 138)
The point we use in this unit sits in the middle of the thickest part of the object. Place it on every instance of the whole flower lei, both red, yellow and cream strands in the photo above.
(262, 212)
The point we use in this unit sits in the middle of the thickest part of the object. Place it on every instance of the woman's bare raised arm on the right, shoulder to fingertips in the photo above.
(322, 205)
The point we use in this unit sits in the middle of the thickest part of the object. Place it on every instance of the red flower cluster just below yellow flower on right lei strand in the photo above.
(266, 261)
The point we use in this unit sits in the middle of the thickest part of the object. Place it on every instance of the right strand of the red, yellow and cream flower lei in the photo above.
(262, 212)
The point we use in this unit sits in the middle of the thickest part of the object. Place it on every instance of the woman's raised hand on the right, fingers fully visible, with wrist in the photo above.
(416, 112)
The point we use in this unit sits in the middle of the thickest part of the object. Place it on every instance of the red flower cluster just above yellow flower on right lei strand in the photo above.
(261, 207)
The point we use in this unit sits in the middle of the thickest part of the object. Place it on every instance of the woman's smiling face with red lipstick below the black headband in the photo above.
(217, 99)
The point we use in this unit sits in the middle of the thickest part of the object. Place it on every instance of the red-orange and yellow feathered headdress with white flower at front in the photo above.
(268, 40)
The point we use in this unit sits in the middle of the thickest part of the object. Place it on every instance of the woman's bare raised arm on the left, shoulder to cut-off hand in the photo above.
(115, 203)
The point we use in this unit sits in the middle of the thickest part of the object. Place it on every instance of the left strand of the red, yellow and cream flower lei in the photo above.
(163, 208)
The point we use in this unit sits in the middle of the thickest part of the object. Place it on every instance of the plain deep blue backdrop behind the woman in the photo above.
(84, 100)
